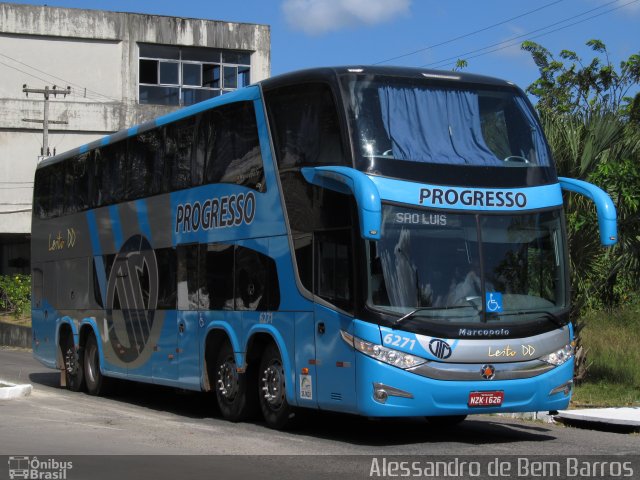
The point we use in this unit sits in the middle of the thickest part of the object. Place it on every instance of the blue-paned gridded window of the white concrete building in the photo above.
(170, 75)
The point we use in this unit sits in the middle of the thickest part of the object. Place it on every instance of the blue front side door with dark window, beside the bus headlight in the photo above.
(335, 359)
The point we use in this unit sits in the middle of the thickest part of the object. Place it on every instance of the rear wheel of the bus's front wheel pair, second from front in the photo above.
(231, 387)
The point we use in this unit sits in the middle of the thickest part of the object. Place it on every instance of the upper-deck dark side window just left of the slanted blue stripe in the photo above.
(233, 147)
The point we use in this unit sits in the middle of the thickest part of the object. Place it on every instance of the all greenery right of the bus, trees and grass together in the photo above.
(593, 127)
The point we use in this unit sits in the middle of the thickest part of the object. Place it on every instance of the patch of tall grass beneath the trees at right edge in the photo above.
(612, 340)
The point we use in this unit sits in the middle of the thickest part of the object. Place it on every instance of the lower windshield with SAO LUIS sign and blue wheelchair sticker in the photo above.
(453, 267)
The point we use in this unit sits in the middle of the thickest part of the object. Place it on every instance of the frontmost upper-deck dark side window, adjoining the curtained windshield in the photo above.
(305, 127)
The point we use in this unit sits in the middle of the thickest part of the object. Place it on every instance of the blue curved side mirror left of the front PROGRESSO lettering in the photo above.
(352, 182)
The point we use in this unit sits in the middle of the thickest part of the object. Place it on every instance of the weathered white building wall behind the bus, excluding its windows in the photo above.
(42, 45)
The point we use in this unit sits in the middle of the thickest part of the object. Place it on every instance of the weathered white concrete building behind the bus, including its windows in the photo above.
(115, 70)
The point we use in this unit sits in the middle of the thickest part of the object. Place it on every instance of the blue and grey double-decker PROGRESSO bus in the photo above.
(371, 240)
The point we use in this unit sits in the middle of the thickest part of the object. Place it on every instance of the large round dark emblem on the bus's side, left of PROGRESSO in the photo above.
(132, 297)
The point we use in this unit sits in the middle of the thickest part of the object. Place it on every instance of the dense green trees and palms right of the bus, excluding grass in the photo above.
(593, 129)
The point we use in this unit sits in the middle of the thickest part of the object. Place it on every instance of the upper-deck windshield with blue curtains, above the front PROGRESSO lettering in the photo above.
(405, 119)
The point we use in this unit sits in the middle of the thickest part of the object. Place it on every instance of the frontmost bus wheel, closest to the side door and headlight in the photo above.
(271, 390)
